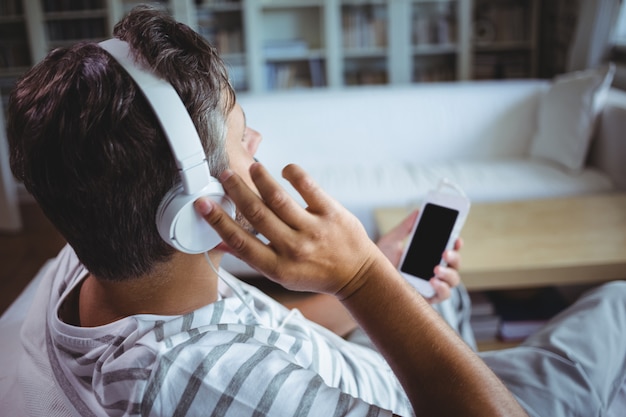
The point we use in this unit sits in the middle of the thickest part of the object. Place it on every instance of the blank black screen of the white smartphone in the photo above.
(429, 240)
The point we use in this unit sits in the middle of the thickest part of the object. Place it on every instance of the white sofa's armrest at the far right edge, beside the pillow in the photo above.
(608, 149)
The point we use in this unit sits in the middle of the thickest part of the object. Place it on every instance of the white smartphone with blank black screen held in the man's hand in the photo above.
(437, 227)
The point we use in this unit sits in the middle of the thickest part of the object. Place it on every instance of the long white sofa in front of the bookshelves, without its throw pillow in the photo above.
(385, 146)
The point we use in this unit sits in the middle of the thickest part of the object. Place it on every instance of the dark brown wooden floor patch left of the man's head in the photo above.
(23, 253)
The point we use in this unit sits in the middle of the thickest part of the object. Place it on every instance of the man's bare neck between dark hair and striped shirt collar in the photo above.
(184, 284)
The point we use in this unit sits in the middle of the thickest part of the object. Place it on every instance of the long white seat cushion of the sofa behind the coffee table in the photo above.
(363, 188)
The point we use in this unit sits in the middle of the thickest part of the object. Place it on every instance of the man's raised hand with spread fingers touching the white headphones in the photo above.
(320, 248)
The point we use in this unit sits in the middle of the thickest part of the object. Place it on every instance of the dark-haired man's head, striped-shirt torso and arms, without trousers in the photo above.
(124, 324)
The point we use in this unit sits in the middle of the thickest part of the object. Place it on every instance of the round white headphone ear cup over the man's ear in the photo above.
(182, 227)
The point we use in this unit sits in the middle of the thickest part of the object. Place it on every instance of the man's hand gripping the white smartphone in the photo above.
(444, 278)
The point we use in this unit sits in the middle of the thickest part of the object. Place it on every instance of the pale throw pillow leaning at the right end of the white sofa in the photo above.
(567, 115)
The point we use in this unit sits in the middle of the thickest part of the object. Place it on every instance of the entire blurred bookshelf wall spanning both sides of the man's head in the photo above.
(273, 45)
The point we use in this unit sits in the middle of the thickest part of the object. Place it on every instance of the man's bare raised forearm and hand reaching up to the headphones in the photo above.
(323, 248)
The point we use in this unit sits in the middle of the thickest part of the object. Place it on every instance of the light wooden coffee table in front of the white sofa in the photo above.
(560, 241)
